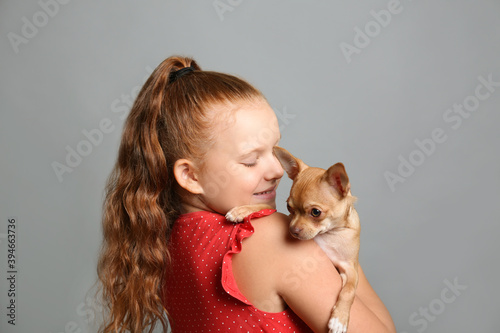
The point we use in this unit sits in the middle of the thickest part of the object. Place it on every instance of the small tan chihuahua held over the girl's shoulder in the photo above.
(321, 207)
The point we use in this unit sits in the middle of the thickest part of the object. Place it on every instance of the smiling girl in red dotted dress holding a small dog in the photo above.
(196, 144)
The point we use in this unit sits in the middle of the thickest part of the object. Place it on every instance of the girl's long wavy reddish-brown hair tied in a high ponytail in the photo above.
(169, 120)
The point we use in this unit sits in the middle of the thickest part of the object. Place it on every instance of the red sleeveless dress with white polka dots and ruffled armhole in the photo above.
(200, 292)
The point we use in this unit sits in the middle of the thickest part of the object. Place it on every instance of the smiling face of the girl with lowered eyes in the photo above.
(240, 167)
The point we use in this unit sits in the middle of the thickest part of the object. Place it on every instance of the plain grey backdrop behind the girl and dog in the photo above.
(441, 223)
